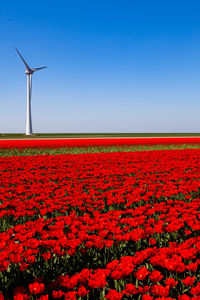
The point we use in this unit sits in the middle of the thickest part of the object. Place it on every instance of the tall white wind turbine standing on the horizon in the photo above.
(29, 73)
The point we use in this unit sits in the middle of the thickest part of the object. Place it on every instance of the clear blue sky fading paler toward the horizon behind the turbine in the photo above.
(113, 66)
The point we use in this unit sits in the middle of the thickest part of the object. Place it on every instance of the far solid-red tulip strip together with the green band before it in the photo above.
(18, 147)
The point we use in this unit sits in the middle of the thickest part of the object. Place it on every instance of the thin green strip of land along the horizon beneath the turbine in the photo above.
(92, 135)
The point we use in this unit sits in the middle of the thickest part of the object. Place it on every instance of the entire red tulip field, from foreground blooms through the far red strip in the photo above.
(107, 224)
